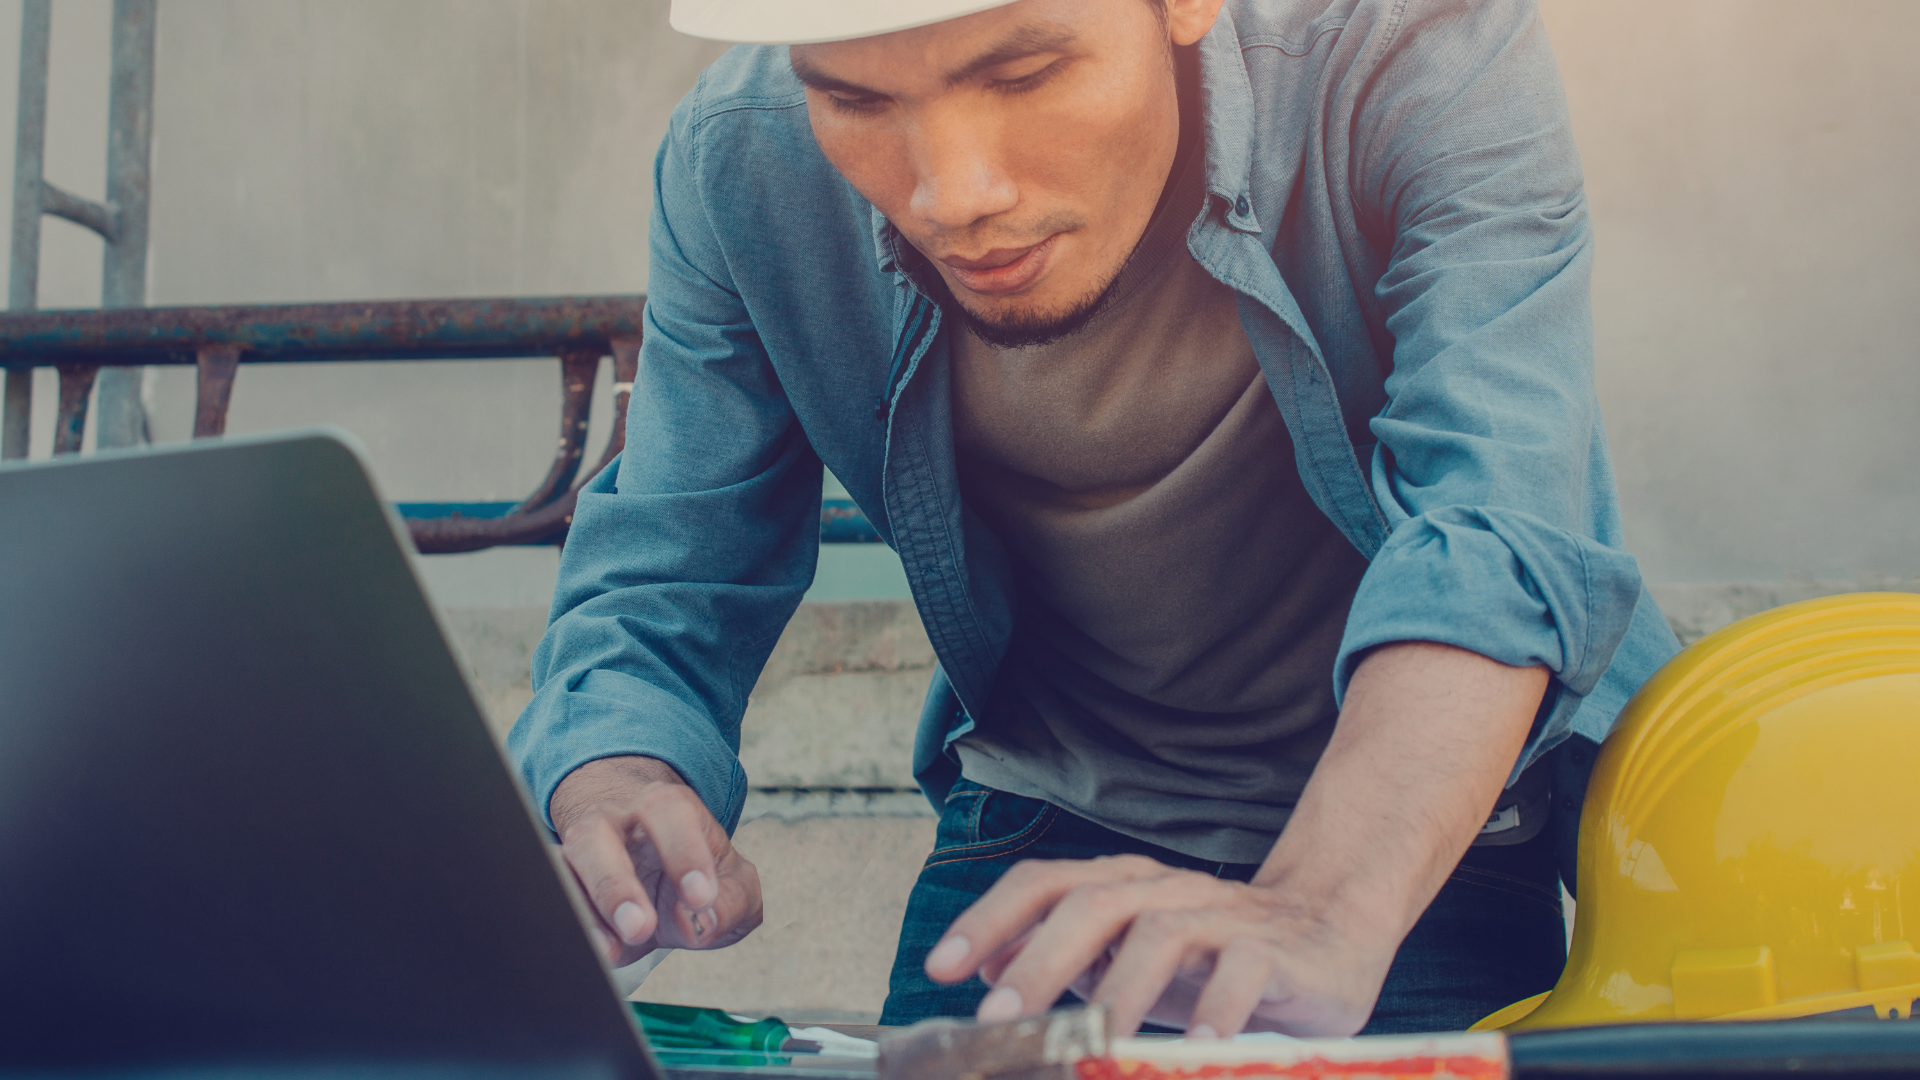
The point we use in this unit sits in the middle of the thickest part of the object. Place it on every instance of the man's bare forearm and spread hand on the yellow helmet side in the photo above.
(1416, 764)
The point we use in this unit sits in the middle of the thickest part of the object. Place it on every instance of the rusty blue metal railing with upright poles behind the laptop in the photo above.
(108, 347)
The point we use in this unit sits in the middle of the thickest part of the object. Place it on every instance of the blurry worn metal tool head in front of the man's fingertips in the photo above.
(1040, 1048)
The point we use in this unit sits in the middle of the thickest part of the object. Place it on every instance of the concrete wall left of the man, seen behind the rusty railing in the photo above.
(366, 149)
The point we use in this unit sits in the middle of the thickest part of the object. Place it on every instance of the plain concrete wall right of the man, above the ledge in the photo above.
(1752, 172)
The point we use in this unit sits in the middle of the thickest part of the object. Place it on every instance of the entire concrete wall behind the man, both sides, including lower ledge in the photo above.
(1750, 170)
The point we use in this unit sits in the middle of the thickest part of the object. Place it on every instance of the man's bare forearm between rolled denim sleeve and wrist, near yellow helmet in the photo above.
(1416, 764)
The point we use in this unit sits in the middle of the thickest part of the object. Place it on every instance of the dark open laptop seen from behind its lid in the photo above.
(251, 818)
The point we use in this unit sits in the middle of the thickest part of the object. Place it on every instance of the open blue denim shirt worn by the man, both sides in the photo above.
(1395, 197)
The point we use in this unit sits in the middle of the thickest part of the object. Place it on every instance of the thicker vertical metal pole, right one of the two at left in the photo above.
(130, 172)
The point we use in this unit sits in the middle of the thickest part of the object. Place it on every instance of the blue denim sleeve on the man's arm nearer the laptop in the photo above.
(690, 554)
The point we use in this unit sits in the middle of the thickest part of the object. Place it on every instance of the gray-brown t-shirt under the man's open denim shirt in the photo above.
(1180, 597)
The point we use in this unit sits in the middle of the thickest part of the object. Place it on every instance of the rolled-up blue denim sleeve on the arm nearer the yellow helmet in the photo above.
(1491, 443)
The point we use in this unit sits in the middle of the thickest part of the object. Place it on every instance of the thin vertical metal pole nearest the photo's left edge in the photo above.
(30, 160)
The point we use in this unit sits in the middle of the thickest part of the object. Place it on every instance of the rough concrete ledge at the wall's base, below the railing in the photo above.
(836, 710)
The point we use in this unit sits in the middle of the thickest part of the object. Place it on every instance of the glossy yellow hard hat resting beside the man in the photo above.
(1750, 845)
